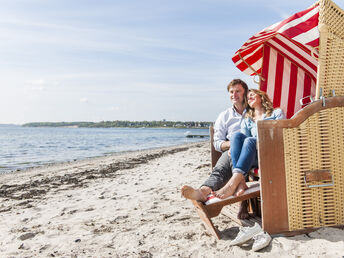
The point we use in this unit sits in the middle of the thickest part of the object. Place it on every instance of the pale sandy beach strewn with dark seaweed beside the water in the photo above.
(128, 205)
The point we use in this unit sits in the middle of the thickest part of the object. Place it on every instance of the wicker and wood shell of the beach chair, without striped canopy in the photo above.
(302, 159)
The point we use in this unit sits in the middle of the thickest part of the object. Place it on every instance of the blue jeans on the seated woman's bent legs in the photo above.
(243, 152)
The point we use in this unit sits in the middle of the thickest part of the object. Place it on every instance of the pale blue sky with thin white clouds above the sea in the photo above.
(104, 60)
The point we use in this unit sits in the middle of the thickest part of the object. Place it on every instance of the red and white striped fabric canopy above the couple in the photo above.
(282, 55)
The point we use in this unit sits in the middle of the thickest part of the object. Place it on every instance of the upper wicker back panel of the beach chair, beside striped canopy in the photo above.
(331, 56)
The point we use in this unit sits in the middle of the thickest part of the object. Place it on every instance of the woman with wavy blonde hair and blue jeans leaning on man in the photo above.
(243, 149)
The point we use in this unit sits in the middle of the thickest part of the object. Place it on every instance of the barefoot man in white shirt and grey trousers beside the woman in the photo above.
(227, 123)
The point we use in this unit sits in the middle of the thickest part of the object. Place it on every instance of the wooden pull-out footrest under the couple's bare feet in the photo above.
(206, 212)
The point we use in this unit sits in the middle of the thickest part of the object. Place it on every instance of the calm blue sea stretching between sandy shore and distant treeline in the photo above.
(26, 147)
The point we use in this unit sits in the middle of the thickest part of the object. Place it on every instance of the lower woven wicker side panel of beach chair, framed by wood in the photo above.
(317, 144)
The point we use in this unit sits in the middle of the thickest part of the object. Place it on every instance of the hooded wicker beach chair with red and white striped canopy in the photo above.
(301, 159)
